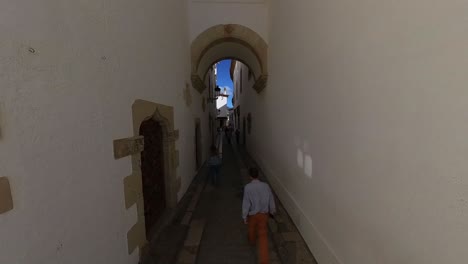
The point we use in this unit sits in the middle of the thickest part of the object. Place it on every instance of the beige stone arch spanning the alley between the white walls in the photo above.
(229, 41)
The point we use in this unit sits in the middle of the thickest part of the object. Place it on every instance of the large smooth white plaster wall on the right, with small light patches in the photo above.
(363, 127)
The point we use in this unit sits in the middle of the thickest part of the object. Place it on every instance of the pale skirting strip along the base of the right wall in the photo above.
(315, 241)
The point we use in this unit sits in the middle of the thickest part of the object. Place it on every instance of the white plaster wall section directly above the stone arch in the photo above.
(204, 14)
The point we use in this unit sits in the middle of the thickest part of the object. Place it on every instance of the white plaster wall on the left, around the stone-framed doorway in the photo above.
(61, 108)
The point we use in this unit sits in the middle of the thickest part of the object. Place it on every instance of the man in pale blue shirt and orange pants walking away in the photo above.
(257, 205)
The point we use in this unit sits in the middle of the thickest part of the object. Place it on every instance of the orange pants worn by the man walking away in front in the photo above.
(258, 226)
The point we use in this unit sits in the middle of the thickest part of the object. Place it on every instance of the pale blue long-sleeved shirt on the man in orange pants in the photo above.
(258, 198)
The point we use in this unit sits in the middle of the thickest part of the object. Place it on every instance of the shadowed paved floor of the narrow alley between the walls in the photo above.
(216, 233)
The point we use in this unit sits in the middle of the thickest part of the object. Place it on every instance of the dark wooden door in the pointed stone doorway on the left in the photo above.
(152, 168)
